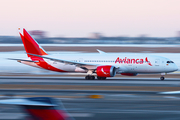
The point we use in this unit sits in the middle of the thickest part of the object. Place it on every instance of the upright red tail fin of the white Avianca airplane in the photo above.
(30, 44)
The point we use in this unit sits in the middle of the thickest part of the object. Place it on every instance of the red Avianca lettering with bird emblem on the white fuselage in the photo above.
(133, 61)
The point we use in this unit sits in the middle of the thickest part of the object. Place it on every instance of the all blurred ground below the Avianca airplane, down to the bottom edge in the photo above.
(123, 98)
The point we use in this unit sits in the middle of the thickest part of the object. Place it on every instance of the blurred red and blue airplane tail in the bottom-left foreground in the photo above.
(41, 108)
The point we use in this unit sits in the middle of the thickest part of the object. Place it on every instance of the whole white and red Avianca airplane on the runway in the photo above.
(102, 64)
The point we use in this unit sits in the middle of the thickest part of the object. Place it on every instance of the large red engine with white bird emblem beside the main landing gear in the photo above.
(106, 71)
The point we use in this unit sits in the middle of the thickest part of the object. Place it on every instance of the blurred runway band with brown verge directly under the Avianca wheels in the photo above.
(79, 83)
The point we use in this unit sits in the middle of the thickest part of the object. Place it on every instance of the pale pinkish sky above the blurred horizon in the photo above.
(79, 18)
